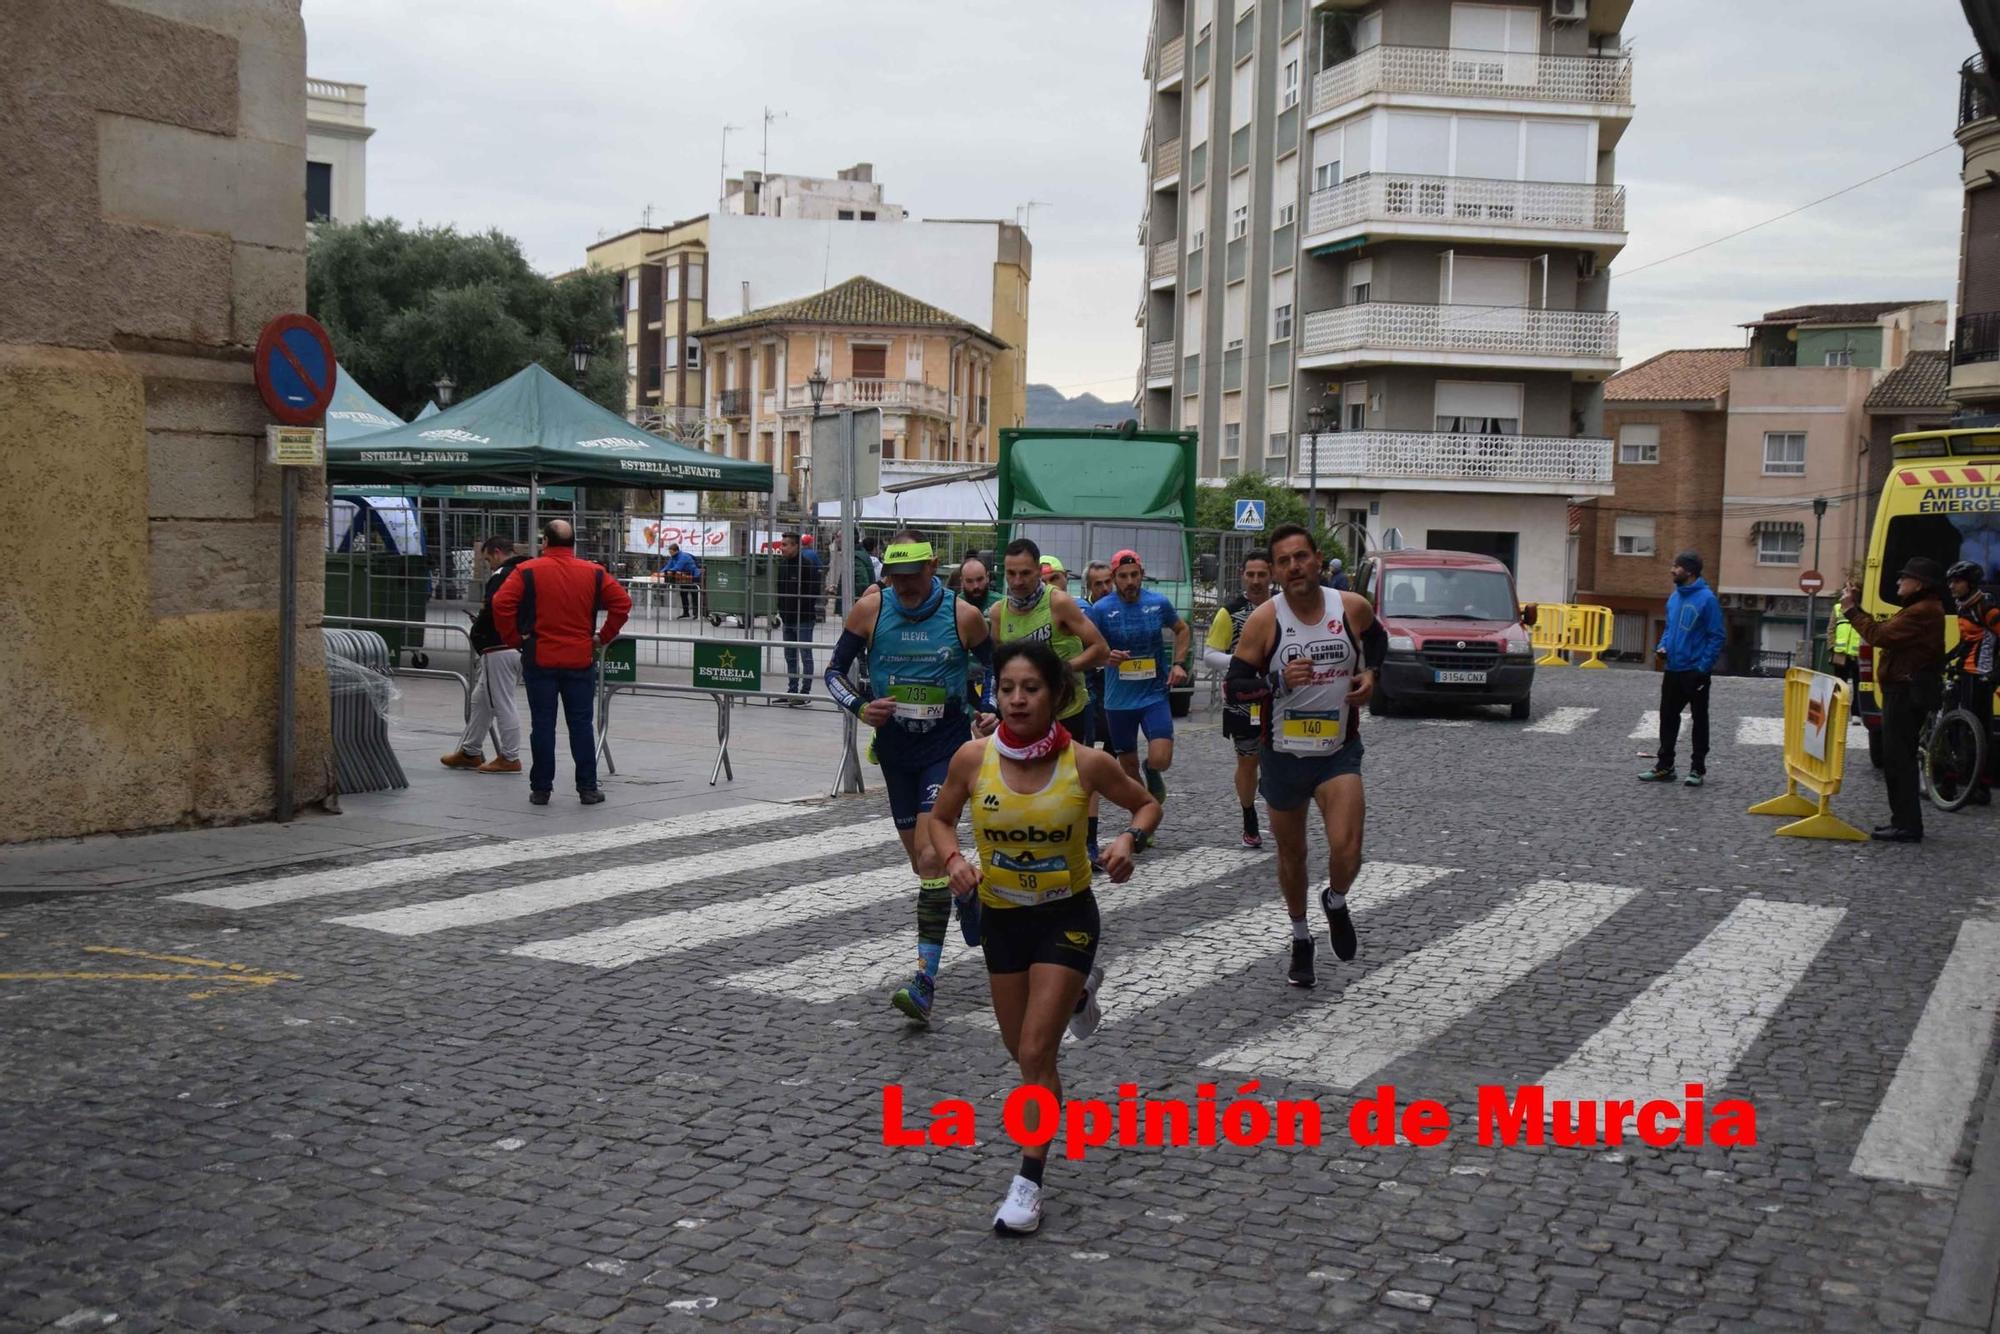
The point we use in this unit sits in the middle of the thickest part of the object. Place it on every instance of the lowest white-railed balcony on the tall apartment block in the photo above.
(1439, 461)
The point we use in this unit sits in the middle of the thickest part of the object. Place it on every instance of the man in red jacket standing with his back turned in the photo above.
(549, 609)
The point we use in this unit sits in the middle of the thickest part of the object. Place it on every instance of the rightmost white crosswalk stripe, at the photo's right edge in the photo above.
(1923, 1117)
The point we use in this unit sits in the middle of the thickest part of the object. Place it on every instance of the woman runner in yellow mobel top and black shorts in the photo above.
(1029, 787)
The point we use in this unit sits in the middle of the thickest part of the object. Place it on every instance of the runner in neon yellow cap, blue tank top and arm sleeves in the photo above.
(919, 641)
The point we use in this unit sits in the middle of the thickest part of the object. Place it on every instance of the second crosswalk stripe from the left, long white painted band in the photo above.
(595, 887)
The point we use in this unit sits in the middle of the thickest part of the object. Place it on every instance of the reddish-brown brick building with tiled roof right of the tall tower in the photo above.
(1669, 423)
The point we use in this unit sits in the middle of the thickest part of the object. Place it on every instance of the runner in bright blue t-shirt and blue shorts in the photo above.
(1135, 691)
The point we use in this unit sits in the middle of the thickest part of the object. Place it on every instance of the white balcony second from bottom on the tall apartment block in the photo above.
(1515, 337)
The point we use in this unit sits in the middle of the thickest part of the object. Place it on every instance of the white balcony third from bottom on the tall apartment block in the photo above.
(1395, 205)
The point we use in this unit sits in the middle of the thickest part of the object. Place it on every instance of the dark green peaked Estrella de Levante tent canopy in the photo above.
(535, 427)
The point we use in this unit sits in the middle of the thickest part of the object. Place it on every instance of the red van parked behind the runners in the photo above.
(1455, 631)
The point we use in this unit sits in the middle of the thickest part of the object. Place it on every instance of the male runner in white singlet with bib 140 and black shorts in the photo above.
(1325, 647)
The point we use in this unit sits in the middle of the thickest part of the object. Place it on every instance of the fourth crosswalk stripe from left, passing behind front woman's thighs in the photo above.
(889, 959)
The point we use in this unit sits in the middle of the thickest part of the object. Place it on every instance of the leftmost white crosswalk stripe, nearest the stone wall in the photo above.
(487, 857)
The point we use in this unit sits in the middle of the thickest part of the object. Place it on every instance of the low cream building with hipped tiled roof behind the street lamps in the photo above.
(927, 369)
